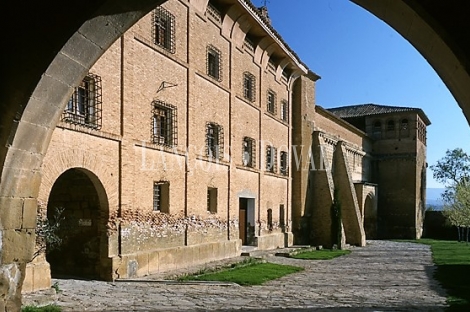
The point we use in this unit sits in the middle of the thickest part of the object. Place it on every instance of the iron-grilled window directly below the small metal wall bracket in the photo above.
(164, 124)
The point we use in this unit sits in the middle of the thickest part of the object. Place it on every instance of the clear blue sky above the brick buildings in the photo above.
(363, 60)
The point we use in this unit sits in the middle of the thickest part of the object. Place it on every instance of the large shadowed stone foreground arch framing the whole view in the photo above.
(29, 110)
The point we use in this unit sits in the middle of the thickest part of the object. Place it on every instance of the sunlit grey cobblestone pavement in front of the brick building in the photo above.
(383, 276)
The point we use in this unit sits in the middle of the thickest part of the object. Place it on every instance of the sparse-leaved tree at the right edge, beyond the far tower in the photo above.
(454, 172)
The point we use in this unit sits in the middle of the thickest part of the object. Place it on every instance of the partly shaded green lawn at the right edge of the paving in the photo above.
(453, 270)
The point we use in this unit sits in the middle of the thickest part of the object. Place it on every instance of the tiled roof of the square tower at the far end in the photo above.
(370, 109)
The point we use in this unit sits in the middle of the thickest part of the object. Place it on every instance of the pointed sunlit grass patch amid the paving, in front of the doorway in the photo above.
(251, 272)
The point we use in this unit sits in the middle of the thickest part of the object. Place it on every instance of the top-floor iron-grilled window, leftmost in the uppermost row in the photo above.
(164, 29)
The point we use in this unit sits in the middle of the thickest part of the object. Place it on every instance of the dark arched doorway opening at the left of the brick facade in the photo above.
(83, 201)
